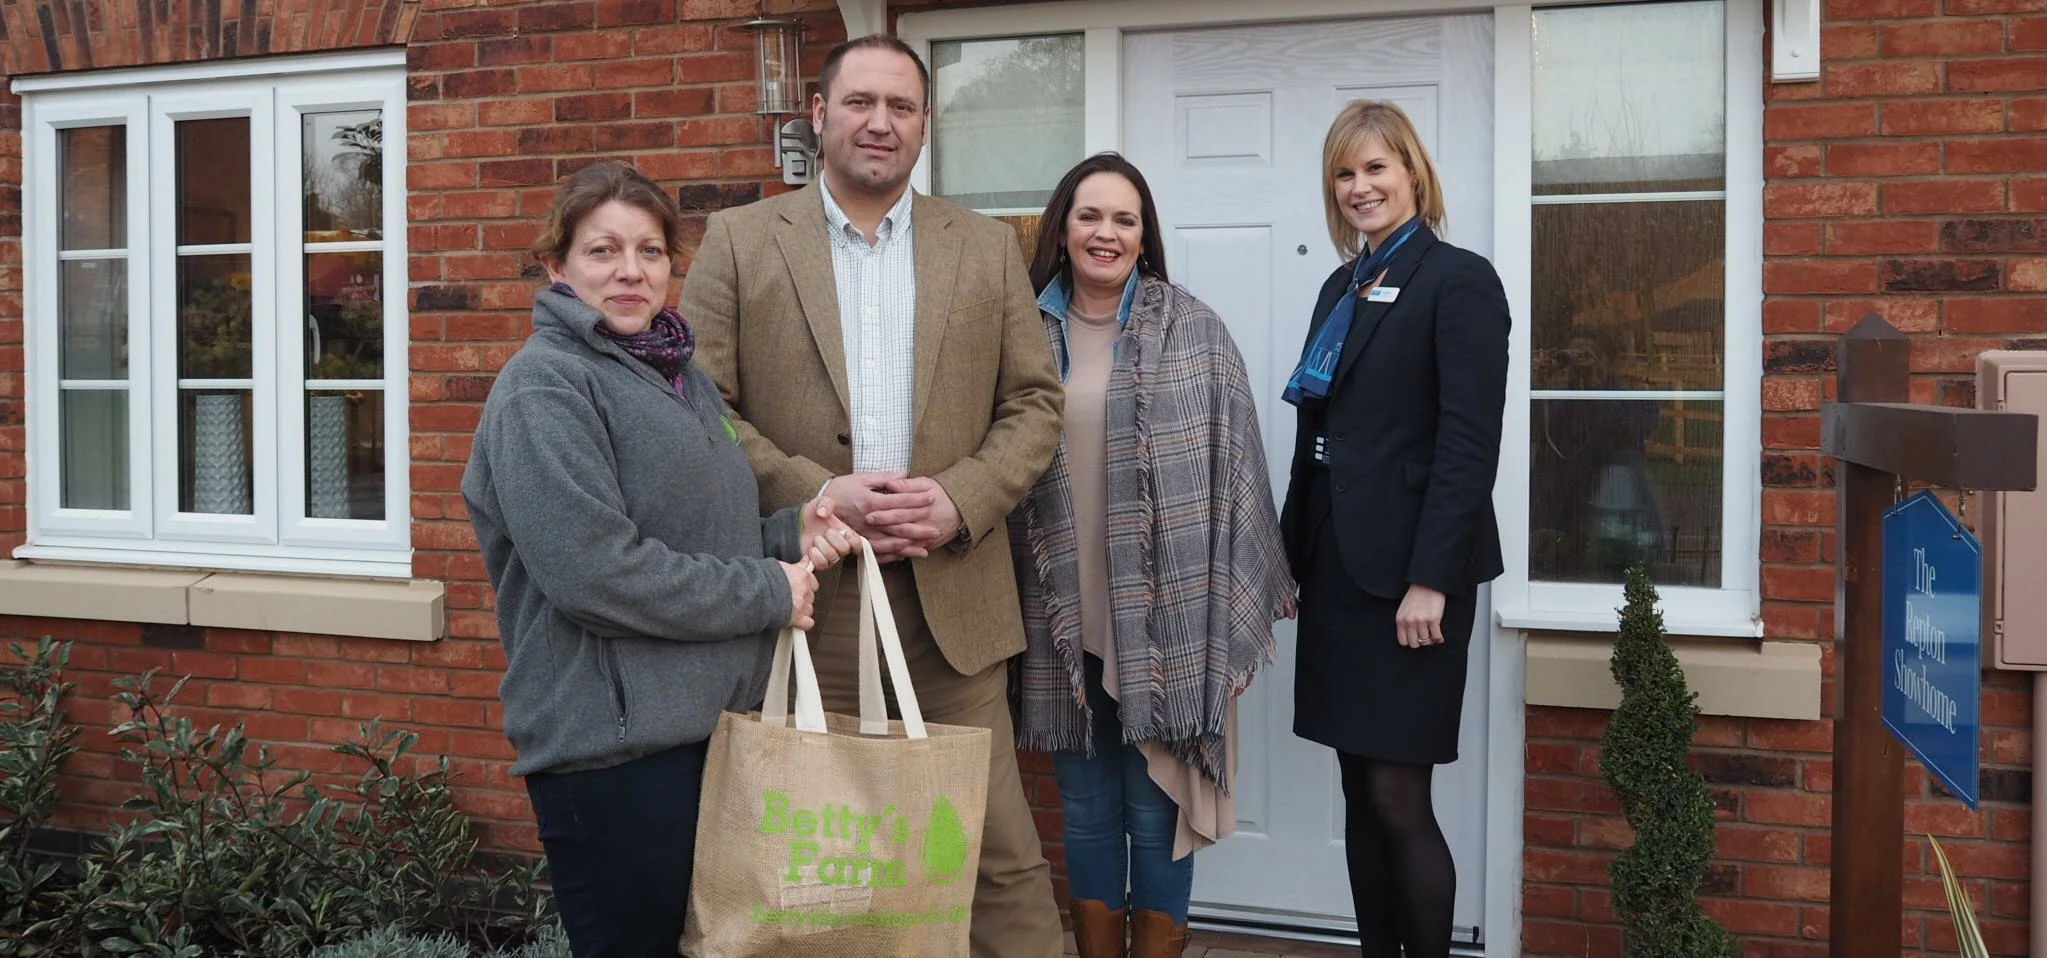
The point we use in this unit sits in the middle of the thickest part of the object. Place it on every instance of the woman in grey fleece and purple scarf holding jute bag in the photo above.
(640, 589)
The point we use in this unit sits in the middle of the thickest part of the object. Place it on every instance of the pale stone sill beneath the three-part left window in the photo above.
(404, 611)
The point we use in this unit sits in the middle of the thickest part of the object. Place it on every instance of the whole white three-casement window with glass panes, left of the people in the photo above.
(216, 316)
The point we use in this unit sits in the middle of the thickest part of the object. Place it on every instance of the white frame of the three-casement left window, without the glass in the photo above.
(146, 103)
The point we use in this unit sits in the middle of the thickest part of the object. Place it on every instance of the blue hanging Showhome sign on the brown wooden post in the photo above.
(1933, 652)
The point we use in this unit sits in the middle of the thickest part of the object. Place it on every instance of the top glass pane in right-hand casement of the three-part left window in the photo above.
(343, 177)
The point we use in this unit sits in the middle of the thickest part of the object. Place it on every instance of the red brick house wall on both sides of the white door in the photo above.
(1913, 181)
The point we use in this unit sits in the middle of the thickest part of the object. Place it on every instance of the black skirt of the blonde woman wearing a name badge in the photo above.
(1356, 689)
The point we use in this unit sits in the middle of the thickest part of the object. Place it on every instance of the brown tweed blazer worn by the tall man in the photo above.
(986, 408)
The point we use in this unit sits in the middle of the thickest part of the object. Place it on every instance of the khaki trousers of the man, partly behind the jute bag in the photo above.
(1014, 912)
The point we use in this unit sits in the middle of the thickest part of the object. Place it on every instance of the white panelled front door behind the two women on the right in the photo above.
(1227, 126)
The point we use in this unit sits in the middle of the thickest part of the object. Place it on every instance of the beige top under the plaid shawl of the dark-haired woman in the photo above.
(1207, 814)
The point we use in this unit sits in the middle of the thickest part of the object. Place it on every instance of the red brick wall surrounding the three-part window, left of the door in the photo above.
(507, 101)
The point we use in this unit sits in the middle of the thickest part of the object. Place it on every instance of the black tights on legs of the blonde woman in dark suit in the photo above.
(1403, 879)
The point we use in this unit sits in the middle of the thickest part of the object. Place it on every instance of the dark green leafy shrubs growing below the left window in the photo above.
(228, 857)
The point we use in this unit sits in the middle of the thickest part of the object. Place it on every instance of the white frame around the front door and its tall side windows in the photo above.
(1727, 611)
